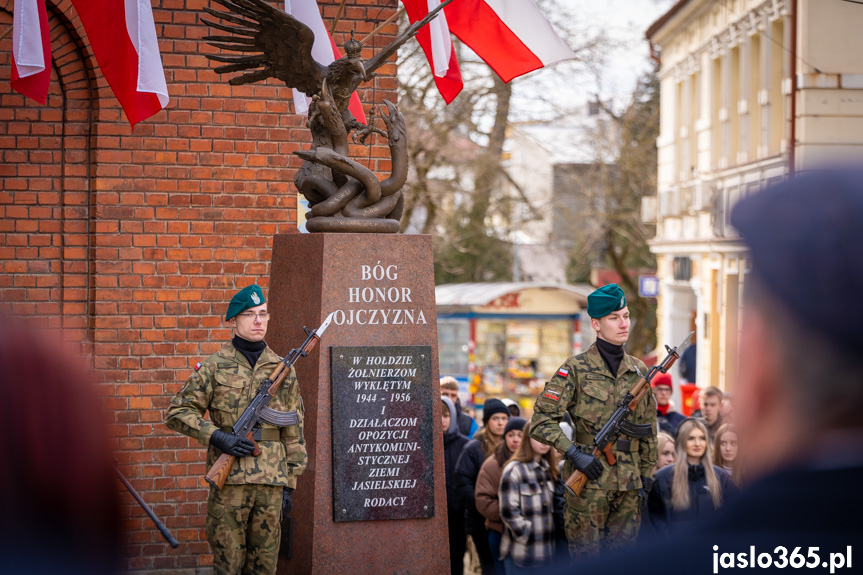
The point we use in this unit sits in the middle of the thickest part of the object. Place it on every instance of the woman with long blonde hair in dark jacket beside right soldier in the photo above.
(692, 488)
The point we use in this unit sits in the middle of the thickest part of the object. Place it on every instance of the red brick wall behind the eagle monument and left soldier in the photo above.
(133, 240)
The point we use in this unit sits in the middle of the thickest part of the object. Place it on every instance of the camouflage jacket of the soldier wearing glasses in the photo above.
(224, 385)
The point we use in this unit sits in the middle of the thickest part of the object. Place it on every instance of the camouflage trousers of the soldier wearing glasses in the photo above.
(244, 529)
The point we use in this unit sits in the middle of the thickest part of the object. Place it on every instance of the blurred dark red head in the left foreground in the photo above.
(59, 498)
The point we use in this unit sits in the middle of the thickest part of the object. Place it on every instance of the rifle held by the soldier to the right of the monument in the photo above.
(618, 422)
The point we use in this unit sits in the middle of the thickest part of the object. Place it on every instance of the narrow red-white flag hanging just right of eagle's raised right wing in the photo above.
(437, 45)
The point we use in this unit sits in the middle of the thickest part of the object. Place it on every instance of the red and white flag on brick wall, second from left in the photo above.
(123, 36)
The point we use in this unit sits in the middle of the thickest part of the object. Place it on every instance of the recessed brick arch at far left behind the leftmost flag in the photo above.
(46, 169)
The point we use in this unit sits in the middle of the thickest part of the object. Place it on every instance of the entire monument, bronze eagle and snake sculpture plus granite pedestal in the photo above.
(373, 496)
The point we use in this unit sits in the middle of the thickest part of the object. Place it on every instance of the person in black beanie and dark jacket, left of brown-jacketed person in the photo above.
(495, 416)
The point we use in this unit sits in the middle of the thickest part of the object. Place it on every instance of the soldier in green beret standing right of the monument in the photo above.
(589, 386)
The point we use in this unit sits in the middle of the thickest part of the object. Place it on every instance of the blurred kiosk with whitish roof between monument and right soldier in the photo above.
(507, 339)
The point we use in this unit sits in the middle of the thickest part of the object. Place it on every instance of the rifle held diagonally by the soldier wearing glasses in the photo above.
(258, 411)
